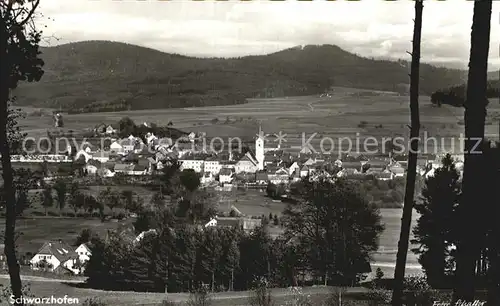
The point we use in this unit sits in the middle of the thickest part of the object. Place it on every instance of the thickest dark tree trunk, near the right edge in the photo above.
(468, 250)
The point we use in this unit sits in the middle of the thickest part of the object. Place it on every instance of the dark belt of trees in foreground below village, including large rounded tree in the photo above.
(329, 236)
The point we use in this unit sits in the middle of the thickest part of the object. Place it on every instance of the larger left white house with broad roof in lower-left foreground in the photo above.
(54, 256)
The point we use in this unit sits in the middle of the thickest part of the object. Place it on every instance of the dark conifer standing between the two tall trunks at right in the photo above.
(436, 229)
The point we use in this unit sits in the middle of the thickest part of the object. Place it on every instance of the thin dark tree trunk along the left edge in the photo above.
(9, 192)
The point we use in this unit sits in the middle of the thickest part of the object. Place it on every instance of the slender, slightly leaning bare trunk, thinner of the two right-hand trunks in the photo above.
(404, 237)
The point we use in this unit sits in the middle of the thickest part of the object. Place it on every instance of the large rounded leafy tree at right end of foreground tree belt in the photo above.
(336, 229)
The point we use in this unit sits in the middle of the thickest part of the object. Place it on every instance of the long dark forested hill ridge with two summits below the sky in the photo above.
(103, 75)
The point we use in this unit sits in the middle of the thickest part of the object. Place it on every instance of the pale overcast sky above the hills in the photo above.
(372, 28)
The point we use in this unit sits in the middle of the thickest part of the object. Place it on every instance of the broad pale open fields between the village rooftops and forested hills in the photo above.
(344, 114)
